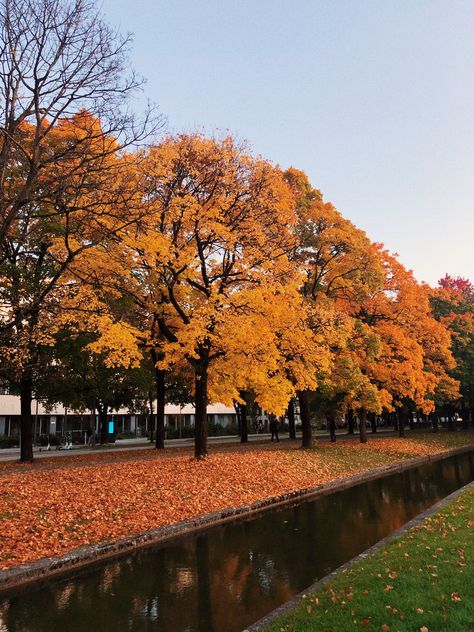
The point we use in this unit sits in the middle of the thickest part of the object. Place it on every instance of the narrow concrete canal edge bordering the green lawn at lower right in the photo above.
(264, 622)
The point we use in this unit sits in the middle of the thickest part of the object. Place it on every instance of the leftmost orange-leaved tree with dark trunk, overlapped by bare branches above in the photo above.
(38, 287)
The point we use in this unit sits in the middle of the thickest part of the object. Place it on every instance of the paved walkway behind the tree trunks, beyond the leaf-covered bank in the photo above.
(142, 443)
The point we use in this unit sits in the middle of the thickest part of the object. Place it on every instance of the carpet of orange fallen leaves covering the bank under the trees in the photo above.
(59, 504)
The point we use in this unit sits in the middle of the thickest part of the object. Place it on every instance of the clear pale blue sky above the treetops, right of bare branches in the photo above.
(373, 99)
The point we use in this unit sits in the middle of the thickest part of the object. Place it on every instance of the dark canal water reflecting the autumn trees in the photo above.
(230, 576)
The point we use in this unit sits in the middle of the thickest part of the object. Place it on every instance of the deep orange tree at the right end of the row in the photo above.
(414, 355)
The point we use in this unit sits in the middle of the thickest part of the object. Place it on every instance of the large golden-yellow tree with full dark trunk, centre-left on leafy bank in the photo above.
(211, 259)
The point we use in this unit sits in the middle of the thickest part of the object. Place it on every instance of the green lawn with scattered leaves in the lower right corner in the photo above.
(423, 580)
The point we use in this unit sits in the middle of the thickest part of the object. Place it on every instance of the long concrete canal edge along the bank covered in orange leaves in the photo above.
(70, 563)
